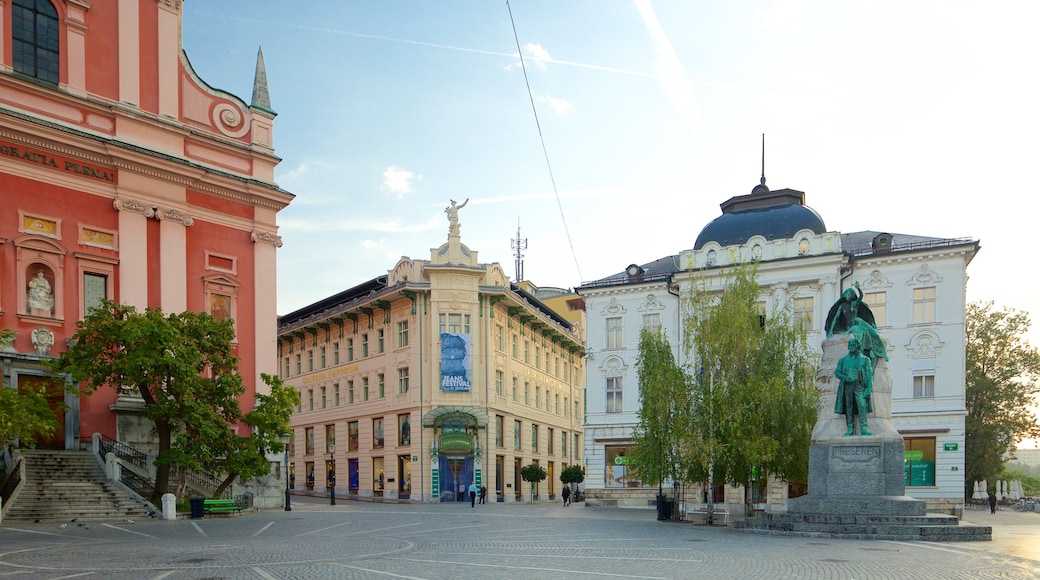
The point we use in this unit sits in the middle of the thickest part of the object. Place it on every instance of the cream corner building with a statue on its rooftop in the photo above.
(440, 374)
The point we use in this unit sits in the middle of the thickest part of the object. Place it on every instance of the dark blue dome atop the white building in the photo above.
(760, 215)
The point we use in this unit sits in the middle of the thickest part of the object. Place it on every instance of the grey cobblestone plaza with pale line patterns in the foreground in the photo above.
(453, 541)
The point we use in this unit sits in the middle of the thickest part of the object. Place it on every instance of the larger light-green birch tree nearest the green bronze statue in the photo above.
(753, 398)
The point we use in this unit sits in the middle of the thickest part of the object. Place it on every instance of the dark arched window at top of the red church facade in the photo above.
(35, 30)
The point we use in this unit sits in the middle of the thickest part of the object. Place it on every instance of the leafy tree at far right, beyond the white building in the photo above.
(1001, 385)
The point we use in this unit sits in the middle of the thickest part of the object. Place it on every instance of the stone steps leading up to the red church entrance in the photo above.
(64, 486)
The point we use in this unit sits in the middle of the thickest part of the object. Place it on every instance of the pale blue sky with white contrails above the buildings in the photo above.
(628, 123)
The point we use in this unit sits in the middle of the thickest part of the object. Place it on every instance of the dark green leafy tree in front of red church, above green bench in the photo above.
(185, 368)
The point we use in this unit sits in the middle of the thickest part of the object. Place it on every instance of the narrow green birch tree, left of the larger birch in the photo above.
(665, 412)
